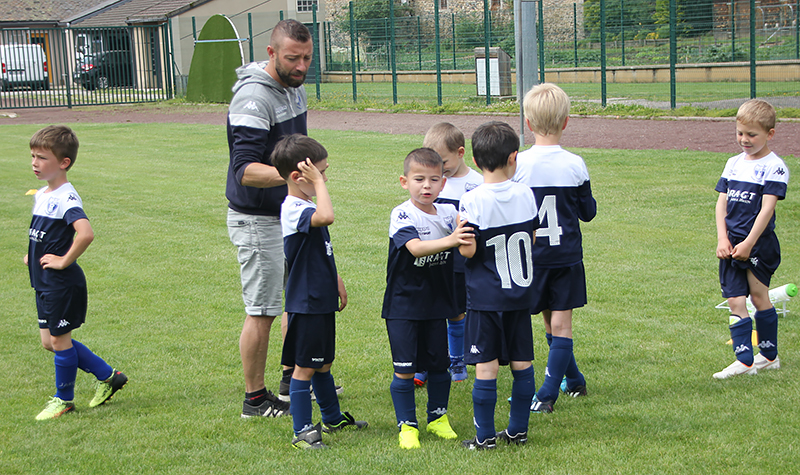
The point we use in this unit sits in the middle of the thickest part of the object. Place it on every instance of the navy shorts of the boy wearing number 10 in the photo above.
(503, 336)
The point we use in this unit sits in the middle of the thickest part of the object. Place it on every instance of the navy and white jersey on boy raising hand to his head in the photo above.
(312, 286)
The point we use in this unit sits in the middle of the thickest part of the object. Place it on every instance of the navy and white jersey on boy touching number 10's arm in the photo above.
(419, 288)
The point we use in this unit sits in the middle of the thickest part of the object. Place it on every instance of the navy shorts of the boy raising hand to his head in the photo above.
(310, 340)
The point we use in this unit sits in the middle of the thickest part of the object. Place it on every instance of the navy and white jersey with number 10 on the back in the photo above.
(504, 217)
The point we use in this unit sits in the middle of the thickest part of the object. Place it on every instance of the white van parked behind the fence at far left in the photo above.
(23, 66)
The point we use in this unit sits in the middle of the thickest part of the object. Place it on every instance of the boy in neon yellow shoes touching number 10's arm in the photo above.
(419, 295)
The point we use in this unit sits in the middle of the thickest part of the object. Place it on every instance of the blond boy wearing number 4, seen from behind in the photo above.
(560, 183)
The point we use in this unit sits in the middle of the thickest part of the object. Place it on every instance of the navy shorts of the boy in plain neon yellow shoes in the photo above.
(418, 345)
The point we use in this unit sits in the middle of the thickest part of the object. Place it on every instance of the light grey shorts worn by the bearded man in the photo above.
(263, 265)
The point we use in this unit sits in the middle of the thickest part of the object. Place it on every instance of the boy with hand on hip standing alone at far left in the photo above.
(60, 233)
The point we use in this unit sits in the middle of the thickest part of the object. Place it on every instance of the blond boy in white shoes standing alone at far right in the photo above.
(747, 247)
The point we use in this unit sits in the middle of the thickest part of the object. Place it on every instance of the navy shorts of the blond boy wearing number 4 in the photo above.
(561, 288)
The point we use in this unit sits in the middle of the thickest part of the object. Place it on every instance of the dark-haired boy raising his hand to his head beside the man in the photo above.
(314, 290)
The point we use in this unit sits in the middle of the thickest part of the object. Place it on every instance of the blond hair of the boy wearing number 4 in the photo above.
(546, 108)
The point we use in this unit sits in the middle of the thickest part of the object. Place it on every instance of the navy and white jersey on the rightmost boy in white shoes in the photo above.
(746, 182)
